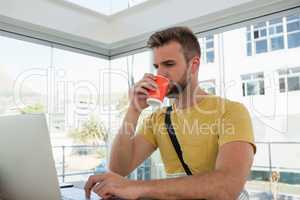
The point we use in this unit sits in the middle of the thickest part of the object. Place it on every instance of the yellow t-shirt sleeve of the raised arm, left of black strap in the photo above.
(146, 130)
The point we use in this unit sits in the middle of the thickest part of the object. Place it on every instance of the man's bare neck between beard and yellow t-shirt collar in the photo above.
(191, 95)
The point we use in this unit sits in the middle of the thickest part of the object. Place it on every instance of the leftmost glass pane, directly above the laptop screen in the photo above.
(24, 69)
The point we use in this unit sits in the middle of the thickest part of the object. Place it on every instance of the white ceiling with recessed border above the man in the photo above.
(113, 34)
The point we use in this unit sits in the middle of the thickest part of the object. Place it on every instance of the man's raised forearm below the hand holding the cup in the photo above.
(122, 147)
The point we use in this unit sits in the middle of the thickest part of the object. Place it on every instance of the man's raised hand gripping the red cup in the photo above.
(139, 93)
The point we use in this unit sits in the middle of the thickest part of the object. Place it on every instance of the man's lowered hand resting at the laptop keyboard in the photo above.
(111, 184)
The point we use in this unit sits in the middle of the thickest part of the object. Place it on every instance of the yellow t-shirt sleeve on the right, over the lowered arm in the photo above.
(236, 125)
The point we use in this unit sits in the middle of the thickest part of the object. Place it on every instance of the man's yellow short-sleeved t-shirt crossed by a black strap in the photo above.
(200, 130)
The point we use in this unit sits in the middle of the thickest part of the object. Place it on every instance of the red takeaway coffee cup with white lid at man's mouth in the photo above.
(156, 97)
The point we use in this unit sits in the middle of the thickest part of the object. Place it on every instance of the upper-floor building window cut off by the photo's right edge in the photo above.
(293, 30)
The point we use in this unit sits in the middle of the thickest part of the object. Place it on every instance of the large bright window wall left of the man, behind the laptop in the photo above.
(37, 78)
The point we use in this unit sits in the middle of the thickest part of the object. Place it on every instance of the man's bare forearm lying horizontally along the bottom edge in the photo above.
(211, 186)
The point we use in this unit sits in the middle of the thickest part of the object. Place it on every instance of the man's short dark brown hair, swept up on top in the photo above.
(183, 35)
